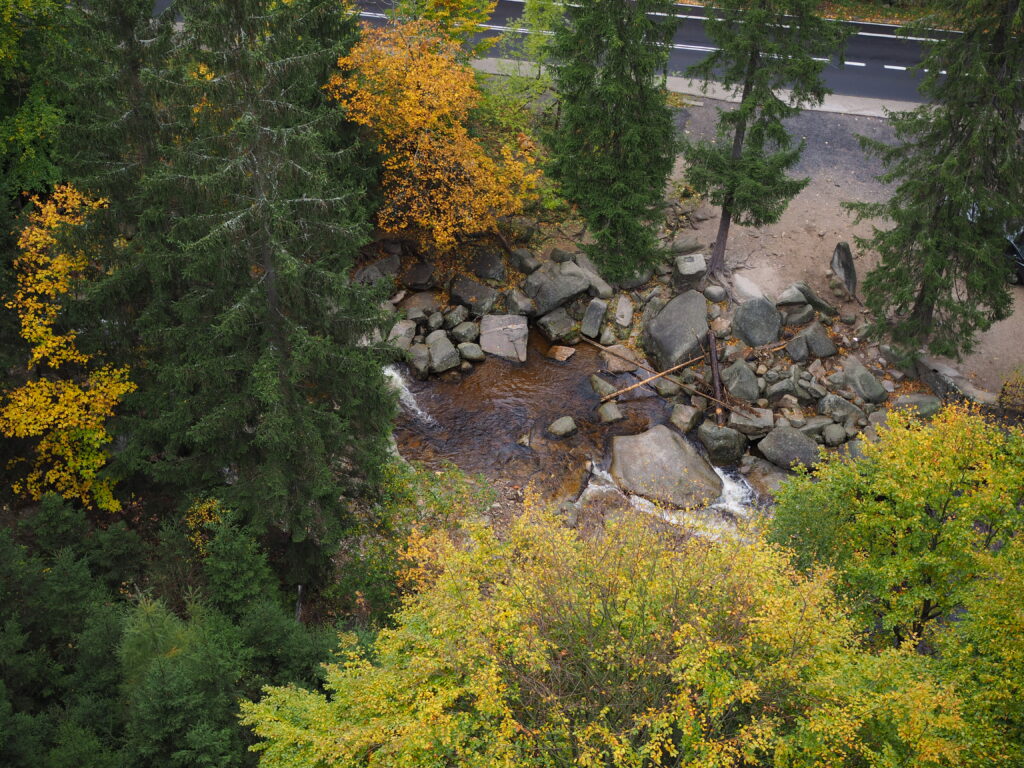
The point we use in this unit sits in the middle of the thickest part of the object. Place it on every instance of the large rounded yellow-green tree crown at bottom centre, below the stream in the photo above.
(543, 650)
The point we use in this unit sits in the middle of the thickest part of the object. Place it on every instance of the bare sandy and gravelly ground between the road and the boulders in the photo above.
(800, 246)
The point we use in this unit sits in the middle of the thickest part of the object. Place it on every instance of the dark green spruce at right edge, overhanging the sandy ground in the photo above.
(959, 169)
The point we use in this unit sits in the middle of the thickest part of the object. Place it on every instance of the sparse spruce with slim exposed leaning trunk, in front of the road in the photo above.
(771, 55)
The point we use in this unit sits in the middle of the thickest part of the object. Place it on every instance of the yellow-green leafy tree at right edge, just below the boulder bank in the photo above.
(909, 526)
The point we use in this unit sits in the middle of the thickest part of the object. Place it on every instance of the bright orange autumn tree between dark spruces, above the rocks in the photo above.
(406, 83)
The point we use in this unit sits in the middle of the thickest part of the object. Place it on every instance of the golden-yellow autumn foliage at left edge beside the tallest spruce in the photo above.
(68, 398)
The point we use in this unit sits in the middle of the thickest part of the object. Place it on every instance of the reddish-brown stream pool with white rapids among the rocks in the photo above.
(493, 422)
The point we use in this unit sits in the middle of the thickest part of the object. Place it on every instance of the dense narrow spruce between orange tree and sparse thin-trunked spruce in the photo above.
(614, 144)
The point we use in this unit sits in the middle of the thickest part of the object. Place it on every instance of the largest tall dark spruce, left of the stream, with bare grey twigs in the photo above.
(260, 373)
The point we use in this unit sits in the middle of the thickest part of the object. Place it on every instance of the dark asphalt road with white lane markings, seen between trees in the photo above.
(878, 61)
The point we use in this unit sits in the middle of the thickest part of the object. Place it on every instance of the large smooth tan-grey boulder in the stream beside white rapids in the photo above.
(662, 466)
